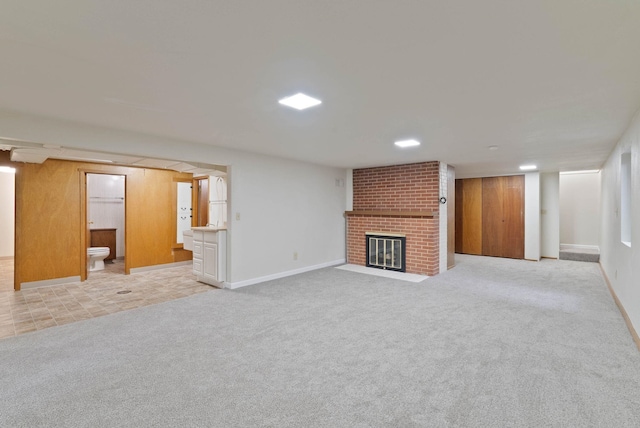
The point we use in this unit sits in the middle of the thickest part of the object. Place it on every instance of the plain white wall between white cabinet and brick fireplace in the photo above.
(279, 208)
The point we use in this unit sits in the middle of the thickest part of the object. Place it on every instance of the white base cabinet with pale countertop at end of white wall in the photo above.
(209, 255)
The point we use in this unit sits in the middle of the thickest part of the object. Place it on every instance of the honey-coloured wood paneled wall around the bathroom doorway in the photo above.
(50, 218)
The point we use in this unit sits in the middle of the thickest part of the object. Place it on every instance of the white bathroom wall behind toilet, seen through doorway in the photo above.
(106, 205)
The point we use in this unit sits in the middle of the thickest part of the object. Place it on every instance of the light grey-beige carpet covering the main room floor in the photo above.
(491, 343)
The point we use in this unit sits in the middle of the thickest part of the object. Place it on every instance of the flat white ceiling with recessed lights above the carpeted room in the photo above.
(553, 82)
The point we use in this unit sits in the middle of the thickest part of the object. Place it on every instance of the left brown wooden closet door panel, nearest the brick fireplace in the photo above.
(468, 209)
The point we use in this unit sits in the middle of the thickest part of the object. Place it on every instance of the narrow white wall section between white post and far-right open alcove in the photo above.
(550, 214)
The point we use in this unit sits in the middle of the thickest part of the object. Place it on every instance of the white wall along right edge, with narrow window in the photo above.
(620, 262)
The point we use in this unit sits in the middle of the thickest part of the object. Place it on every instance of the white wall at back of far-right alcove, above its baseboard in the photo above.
(580, 209)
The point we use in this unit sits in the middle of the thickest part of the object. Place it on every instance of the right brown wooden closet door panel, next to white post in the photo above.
(503, 216)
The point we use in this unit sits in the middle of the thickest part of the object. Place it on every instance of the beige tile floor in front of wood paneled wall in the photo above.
(39, 308)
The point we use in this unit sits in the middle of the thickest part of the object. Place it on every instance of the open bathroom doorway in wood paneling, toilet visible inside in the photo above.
(105, 219)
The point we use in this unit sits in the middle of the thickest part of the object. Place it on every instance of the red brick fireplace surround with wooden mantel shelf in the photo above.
(399, 200)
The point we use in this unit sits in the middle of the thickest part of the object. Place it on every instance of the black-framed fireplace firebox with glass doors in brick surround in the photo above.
(386, 251)
